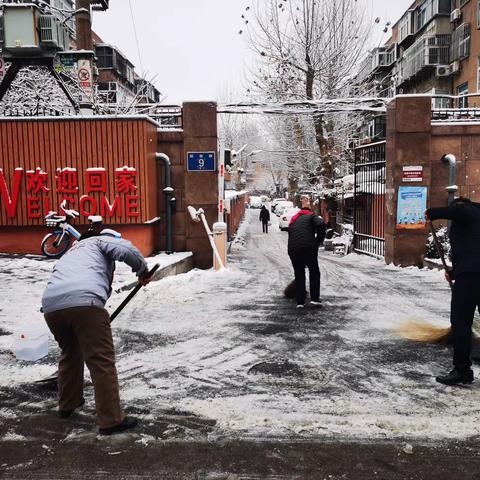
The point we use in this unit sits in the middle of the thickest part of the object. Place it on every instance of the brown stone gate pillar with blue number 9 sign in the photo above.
(201, 188)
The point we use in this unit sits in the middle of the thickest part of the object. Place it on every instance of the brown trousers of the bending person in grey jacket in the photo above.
(84, 334)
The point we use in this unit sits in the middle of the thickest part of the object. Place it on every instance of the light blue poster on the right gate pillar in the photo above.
(412, 203)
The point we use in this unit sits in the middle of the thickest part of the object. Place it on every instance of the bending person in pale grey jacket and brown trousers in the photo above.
(74, 308)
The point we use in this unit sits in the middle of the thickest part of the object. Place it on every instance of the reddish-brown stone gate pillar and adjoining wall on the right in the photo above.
(413, 140)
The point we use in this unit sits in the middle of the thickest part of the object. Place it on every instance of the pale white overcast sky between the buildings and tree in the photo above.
(192, 47)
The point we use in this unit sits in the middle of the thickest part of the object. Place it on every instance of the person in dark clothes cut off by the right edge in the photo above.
(465, 274)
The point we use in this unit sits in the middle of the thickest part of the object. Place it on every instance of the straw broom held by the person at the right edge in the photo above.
(419, 331)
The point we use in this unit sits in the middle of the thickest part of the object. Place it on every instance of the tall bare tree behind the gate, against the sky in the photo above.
(309, 49)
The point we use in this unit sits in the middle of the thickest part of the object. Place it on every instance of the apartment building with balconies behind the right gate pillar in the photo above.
(434, 48)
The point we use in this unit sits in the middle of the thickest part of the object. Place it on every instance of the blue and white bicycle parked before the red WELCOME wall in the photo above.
(55, 244)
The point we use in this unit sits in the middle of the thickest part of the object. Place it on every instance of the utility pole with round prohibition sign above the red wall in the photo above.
(83, 24)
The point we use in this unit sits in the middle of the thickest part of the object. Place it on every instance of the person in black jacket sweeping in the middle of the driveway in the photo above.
(306, 232)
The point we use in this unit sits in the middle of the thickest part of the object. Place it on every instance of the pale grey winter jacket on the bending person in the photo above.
(83, 276)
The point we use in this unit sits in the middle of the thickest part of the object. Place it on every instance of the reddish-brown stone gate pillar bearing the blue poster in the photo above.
(408, 143)
